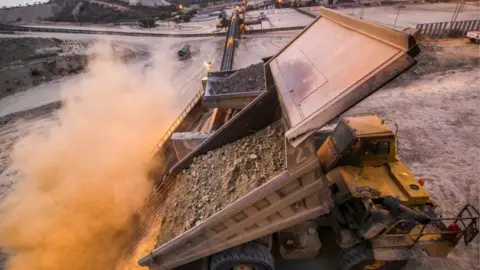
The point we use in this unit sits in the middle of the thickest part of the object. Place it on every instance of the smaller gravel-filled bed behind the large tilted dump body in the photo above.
(234, 89)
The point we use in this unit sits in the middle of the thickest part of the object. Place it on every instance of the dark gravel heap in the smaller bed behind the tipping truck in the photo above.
(249, 79)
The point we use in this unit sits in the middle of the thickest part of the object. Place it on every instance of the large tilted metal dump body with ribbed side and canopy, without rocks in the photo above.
(332, 65)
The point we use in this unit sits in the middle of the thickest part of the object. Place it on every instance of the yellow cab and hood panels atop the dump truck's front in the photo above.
(361, 152)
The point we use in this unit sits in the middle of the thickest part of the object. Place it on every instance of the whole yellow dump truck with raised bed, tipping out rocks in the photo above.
(347, 177)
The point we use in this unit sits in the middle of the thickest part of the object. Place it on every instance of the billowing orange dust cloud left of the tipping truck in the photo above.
(86, 176)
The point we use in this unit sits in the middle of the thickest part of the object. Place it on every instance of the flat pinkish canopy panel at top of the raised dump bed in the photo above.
(332, 65)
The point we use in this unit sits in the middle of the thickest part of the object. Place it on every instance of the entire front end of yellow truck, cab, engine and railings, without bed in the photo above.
(377, 204)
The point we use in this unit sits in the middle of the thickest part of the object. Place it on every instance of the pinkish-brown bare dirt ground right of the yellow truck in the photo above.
(437, 108)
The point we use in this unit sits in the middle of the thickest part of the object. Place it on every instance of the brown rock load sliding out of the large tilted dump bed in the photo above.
(220, 177)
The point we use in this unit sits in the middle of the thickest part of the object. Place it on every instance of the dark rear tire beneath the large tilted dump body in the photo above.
(251, 255)
